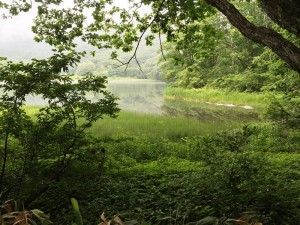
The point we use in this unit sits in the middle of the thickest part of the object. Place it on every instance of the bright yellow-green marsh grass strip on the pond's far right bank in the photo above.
(256, 100)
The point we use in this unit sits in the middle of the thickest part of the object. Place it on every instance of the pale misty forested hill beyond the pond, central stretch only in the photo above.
(102, 64)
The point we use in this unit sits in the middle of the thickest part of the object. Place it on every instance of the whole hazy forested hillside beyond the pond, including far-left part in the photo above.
(100, 64)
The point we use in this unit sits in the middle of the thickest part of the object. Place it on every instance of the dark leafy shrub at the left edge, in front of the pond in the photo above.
(54, 136)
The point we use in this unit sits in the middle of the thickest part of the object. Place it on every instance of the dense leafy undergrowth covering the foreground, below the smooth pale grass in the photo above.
(179, 181)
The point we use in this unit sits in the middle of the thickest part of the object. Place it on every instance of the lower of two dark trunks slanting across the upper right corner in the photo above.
(285, 49)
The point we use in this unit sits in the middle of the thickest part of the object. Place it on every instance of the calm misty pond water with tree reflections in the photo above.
(145, 96)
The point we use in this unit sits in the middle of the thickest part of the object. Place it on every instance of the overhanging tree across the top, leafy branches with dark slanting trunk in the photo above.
(120, 28)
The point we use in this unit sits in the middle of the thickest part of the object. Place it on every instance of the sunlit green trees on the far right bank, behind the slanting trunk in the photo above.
(224, 59)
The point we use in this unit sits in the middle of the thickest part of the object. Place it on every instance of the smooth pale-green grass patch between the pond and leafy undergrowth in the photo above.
(152, 126)
